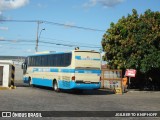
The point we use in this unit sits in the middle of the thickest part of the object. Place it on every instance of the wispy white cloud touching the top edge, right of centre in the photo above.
(105, 3)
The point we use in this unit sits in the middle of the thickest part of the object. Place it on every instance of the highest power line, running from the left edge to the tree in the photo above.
(55, 23)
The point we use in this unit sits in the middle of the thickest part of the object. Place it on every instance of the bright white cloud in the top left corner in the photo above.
(12, 4)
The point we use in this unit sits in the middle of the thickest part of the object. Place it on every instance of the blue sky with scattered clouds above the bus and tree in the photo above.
(64, 24)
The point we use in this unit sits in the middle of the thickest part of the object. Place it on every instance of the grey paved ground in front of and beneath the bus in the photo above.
(26, 98)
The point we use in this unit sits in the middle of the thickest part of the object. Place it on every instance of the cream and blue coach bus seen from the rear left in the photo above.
(79, 70)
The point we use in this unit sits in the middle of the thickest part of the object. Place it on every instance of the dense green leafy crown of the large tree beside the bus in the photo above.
(134, 42)
